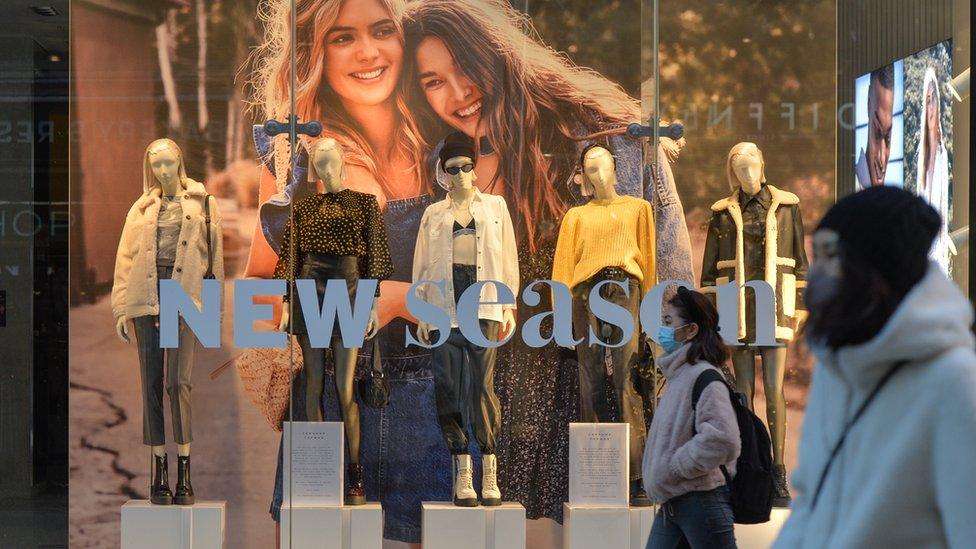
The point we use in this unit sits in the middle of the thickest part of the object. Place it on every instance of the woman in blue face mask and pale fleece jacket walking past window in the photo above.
(688, 445)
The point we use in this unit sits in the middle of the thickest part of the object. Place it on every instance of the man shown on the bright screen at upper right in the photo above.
(872, 164)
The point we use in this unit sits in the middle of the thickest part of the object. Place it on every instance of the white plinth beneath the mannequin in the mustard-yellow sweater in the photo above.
(606, 527)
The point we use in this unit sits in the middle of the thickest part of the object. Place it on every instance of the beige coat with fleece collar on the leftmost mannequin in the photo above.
(135, 290)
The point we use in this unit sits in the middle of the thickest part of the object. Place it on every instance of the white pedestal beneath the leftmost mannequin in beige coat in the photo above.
(148, 526)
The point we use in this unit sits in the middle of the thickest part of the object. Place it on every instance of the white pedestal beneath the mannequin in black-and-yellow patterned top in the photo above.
(352, 527)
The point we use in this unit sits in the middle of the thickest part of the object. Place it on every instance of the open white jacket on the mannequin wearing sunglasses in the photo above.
(497, 254)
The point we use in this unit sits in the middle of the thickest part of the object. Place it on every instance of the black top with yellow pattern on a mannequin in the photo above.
(347, 223)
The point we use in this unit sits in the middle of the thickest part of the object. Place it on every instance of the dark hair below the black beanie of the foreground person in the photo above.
(863, 304)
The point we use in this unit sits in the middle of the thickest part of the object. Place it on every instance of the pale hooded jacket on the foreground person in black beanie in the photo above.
(906, 475)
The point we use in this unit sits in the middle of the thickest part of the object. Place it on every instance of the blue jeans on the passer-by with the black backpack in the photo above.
(699, 520)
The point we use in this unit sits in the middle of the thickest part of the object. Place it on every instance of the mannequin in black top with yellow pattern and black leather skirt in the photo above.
(338, 233)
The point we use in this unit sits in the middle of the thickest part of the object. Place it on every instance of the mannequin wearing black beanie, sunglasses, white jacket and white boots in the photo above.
(468, 237)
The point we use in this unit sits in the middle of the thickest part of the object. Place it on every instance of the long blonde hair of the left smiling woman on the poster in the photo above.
(314, 99)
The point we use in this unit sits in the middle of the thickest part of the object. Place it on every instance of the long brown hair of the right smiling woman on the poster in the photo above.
(536, 104)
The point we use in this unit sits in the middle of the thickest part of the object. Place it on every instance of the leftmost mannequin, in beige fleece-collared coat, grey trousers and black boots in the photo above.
(165, 236)
